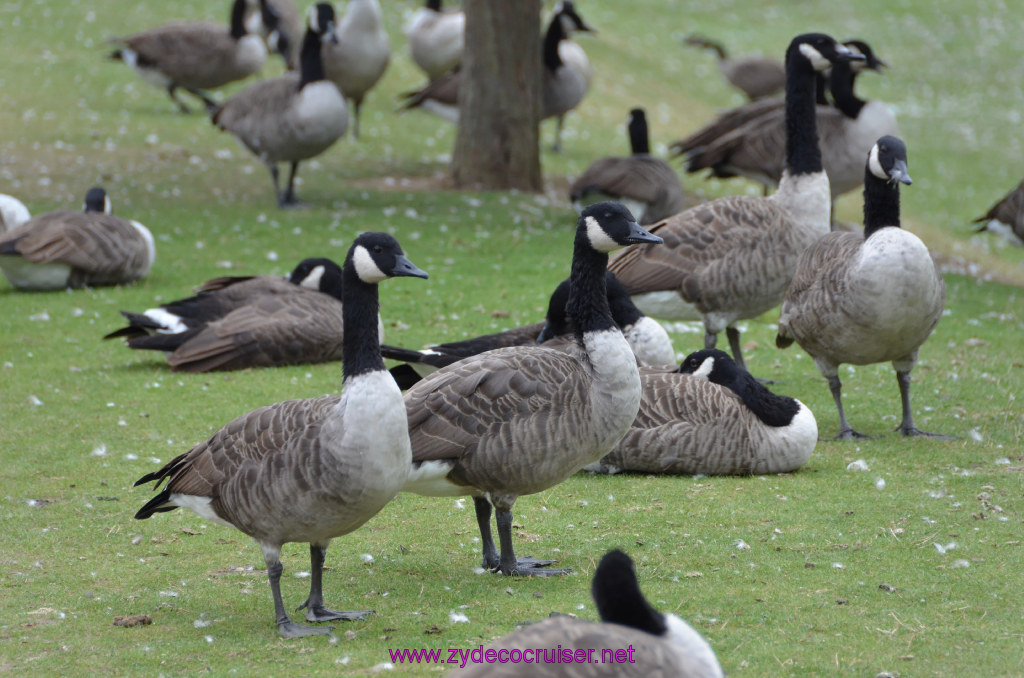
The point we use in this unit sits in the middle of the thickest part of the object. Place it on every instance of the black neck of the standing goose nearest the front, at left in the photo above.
(361, 343)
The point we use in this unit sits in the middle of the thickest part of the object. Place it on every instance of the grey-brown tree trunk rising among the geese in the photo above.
(498, 143)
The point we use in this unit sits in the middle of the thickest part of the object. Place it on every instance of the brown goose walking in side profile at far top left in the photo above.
(194, 56)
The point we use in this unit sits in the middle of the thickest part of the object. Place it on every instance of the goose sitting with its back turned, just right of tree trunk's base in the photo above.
(647, 185)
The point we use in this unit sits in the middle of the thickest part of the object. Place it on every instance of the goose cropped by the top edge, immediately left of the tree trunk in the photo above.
(436, 39)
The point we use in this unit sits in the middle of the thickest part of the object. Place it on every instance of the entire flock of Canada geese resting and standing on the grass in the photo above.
(594, 386)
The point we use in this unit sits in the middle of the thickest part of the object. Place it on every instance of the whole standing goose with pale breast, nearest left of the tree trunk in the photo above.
(291, 118)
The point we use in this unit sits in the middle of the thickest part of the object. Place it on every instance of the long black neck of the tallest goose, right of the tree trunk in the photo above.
(802, 153)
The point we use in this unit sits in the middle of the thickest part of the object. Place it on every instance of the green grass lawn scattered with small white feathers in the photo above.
(73, 558)
